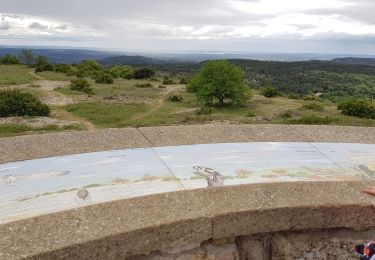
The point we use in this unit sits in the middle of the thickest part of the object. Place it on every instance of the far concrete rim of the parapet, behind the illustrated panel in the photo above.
(54, 144)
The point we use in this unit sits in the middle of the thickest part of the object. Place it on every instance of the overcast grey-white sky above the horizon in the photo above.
(307, 26)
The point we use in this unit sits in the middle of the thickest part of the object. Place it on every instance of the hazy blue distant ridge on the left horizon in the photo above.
(61, 55)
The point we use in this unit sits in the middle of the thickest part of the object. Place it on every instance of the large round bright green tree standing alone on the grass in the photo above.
(220, 82)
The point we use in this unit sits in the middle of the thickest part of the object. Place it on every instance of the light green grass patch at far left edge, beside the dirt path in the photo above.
(15, 74)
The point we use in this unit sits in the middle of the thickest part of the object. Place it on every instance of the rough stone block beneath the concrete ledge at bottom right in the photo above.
(322, 245)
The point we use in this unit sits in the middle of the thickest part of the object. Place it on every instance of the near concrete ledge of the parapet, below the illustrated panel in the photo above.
(139, 226)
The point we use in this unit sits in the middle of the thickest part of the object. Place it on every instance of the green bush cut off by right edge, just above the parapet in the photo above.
(357, 107)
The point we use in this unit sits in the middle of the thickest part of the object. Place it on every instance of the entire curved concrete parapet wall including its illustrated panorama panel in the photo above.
(104, 206)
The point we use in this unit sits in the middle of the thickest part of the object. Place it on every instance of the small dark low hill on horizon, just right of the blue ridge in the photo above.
(132, 60)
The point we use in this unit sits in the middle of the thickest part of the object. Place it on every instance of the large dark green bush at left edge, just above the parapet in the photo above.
(16, 103)
